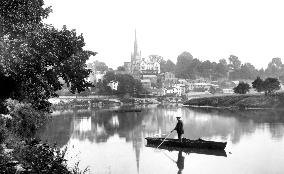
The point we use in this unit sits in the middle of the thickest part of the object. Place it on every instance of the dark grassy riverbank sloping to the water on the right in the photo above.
(240, 101)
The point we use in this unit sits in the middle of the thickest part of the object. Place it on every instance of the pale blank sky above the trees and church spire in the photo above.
(211, 30)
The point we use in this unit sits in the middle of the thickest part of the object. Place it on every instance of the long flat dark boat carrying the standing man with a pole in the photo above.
(186, 143)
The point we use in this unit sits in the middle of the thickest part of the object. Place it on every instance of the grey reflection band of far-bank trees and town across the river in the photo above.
(98, 126)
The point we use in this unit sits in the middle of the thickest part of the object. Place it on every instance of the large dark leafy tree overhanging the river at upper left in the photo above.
(34, 55)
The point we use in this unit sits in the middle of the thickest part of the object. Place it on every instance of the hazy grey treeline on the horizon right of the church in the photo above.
(192, 68)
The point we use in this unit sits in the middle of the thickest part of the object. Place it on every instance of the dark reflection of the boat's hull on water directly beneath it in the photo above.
(215, 152)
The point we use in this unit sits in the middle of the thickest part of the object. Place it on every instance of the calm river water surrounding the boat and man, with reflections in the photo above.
(113, 143)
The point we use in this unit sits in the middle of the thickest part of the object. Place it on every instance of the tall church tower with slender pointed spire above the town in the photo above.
(135, 60)
